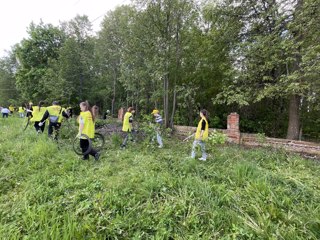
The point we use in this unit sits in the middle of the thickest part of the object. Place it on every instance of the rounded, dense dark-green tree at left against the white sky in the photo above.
(34, 55)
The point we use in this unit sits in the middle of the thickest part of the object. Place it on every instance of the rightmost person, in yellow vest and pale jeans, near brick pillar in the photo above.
(201, 136)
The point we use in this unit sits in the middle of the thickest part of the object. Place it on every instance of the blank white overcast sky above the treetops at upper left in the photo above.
(16, 15)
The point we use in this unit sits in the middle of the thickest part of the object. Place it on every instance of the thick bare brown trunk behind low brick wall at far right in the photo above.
(294, 118)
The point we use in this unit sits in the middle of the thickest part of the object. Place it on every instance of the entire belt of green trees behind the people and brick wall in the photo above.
(259, 58)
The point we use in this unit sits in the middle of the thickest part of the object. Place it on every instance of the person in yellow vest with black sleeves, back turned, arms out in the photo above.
(55, 114)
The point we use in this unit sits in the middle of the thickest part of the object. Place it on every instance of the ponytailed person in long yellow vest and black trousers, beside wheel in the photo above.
(86, 126)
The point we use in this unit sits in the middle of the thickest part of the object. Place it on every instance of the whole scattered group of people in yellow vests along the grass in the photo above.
(55, 114)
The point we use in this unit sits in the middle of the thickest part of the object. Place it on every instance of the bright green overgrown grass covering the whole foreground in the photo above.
(148, 193)
